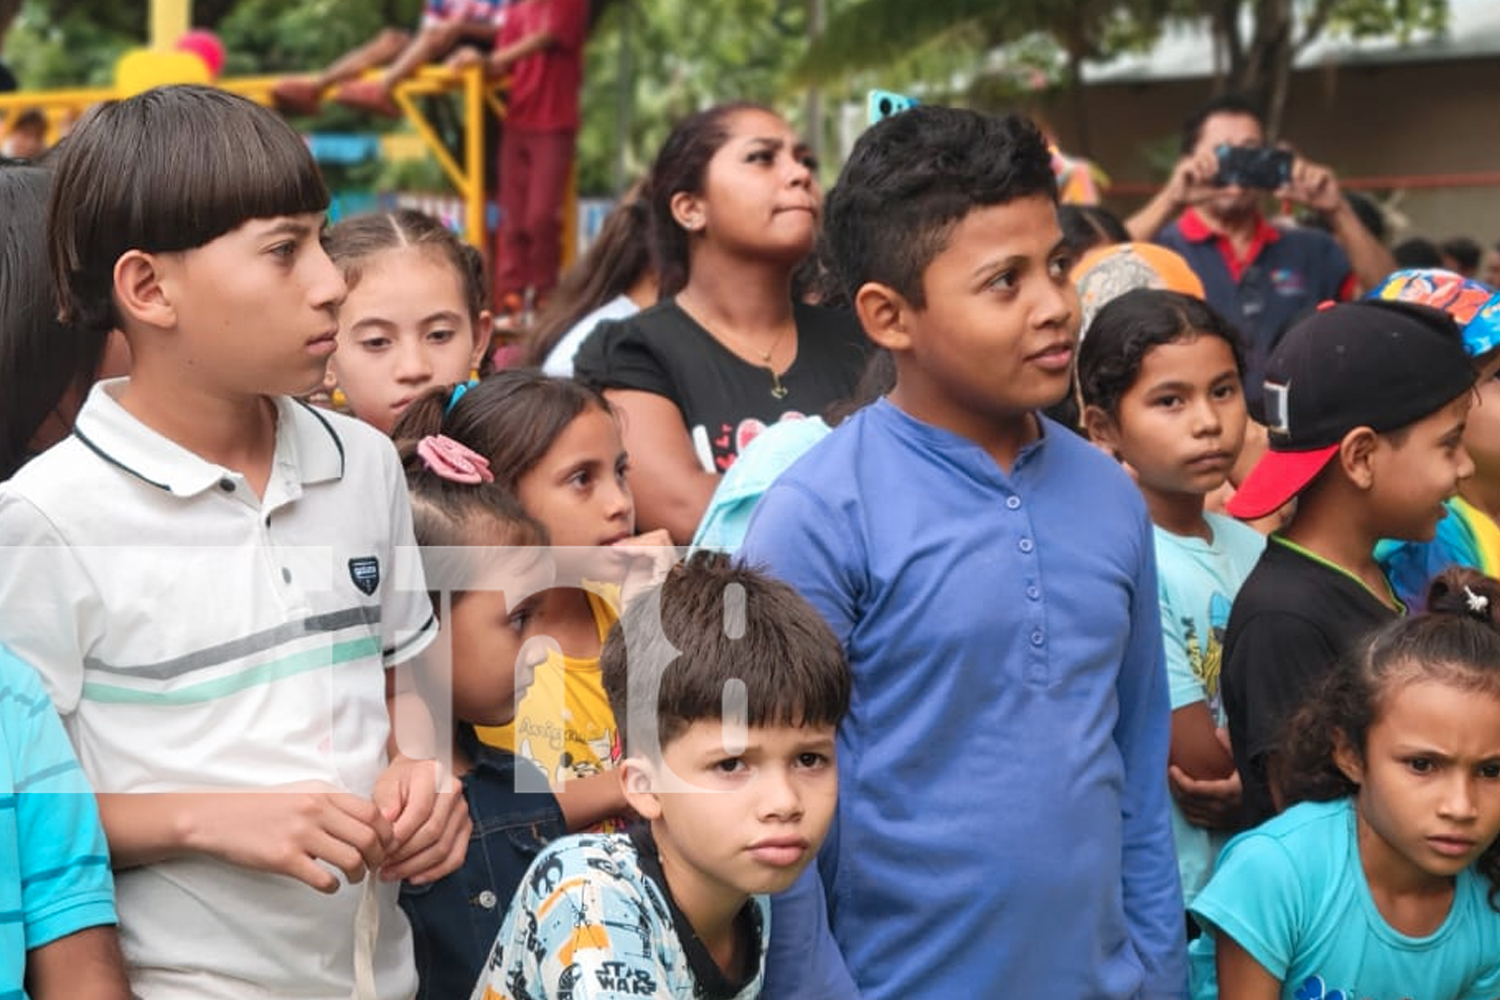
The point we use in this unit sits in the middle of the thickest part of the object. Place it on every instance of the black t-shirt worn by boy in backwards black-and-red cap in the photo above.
(1292, 620)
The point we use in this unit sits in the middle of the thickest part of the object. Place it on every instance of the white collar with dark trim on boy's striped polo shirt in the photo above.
(307, 445)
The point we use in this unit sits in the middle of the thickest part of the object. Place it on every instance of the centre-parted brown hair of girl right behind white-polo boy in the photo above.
(353, 242)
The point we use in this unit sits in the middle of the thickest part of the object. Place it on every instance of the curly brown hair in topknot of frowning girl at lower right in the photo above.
(1454, 642)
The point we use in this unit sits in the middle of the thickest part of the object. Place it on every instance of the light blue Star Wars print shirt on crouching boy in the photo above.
(595, 921)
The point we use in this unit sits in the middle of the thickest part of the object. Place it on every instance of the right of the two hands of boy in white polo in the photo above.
(431, 828)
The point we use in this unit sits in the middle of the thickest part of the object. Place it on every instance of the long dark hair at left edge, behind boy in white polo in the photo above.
(41, 358)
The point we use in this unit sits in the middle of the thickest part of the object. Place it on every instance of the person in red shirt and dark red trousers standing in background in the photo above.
(541, 46)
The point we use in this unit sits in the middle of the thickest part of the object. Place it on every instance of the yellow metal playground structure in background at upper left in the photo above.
(161, 64)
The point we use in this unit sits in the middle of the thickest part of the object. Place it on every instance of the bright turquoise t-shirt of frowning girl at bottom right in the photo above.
(1294, 896)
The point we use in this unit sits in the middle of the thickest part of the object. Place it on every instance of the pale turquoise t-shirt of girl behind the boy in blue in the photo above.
(1199, 581)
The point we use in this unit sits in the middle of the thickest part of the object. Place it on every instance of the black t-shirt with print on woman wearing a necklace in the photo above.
(725, 401)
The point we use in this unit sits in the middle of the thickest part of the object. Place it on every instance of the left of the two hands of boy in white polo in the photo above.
(290, 833)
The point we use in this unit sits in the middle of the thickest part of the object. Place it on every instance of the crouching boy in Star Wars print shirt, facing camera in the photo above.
(728, 689)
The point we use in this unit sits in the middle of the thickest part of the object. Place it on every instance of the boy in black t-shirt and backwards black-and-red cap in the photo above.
(1366, 404)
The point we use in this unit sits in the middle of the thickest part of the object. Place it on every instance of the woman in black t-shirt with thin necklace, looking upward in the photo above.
(734, 211)
